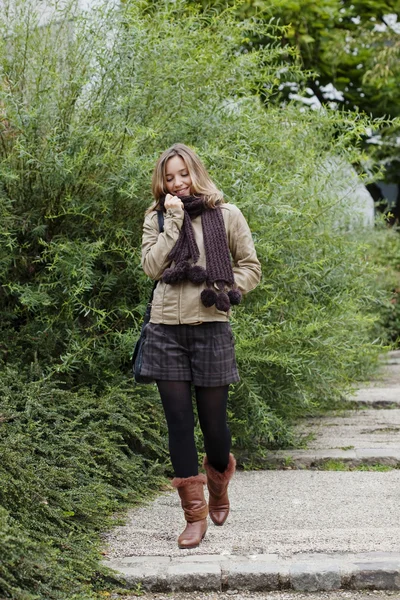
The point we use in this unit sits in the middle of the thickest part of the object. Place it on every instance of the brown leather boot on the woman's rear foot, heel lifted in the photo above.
(217, 483)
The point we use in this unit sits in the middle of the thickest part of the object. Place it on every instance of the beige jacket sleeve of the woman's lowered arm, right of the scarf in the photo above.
(246, 268)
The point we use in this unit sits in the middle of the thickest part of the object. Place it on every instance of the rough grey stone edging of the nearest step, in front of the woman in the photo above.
(301, 572)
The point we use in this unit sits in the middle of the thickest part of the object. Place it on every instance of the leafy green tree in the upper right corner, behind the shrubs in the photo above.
(351, 50)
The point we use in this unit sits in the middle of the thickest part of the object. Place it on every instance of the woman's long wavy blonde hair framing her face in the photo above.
(202, 185)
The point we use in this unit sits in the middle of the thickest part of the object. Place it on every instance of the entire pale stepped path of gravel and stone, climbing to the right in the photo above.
(308, 525)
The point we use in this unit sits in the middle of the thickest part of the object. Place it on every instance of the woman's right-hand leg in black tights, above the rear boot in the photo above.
(211, 408)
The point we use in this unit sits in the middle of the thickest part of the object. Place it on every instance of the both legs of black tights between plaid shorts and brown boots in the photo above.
(211, 408)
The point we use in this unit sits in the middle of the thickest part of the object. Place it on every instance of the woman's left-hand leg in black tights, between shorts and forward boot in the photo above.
(177, 402)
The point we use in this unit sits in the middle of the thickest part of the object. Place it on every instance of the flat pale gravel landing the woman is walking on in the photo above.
(279, 512)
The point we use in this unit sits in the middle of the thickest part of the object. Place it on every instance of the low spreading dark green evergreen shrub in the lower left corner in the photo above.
(68, 461)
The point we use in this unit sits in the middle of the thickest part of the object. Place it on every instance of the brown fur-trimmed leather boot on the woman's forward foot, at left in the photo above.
(191, 493)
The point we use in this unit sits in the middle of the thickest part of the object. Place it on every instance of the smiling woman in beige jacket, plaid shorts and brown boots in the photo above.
(189, 339)
